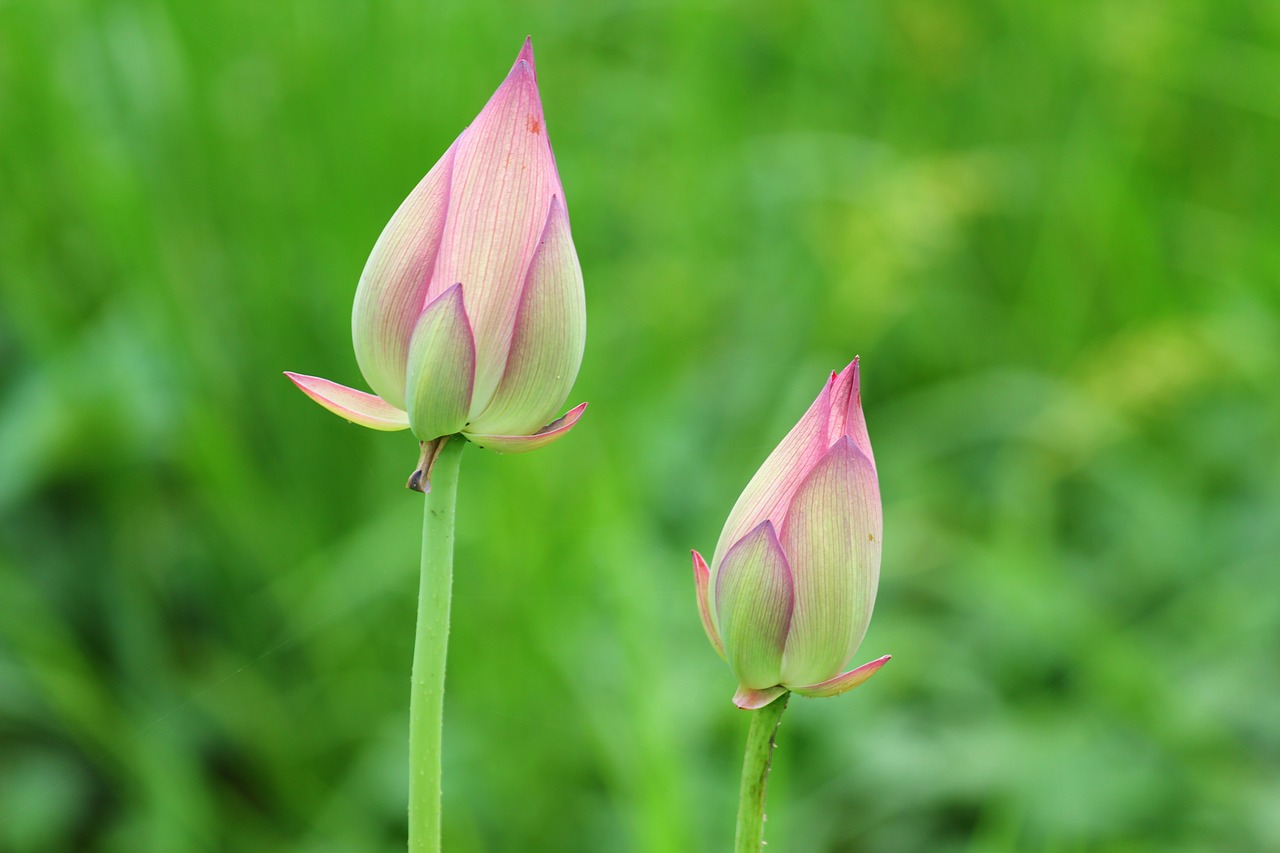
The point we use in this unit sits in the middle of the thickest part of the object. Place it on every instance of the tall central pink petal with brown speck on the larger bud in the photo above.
(504, 183)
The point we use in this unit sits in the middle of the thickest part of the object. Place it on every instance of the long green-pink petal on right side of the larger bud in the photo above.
(550, 335)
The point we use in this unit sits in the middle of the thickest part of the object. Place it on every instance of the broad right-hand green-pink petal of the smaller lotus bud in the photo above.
(831, 536)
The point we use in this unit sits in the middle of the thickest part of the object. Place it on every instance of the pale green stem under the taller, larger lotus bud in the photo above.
(431, 649)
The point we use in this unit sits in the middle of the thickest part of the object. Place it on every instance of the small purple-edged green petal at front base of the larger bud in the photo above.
(441, 368)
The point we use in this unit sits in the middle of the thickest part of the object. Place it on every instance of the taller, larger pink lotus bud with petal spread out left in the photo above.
(470, 316)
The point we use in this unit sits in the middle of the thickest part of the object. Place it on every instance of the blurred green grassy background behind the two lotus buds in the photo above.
(1052, 231)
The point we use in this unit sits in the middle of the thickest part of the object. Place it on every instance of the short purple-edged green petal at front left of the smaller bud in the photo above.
(752, 608)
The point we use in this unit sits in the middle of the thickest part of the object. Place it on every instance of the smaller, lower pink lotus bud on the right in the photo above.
(790, 590)
